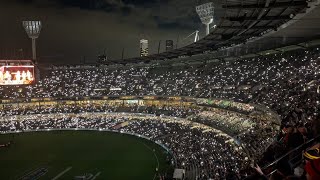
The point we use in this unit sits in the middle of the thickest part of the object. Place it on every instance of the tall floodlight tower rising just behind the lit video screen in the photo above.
(33, 29)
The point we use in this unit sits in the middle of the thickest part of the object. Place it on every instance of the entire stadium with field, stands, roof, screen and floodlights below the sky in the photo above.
(242, 102)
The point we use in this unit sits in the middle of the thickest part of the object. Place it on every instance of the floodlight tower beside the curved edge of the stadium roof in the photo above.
(205, 12)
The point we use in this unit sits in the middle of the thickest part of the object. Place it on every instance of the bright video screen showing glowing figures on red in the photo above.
(16, 75)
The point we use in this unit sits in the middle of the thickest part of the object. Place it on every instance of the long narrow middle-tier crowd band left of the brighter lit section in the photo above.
(164, 110)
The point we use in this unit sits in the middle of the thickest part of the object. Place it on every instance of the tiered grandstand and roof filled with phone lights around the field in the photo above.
(217, 116)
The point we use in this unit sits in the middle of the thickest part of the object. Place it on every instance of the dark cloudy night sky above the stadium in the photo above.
(76, 28)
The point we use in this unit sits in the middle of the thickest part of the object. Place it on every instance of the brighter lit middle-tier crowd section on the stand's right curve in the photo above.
(253, 134)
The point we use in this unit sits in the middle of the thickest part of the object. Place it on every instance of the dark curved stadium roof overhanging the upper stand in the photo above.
(256, 24)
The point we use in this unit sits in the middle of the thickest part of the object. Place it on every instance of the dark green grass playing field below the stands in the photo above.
(116, 156)
